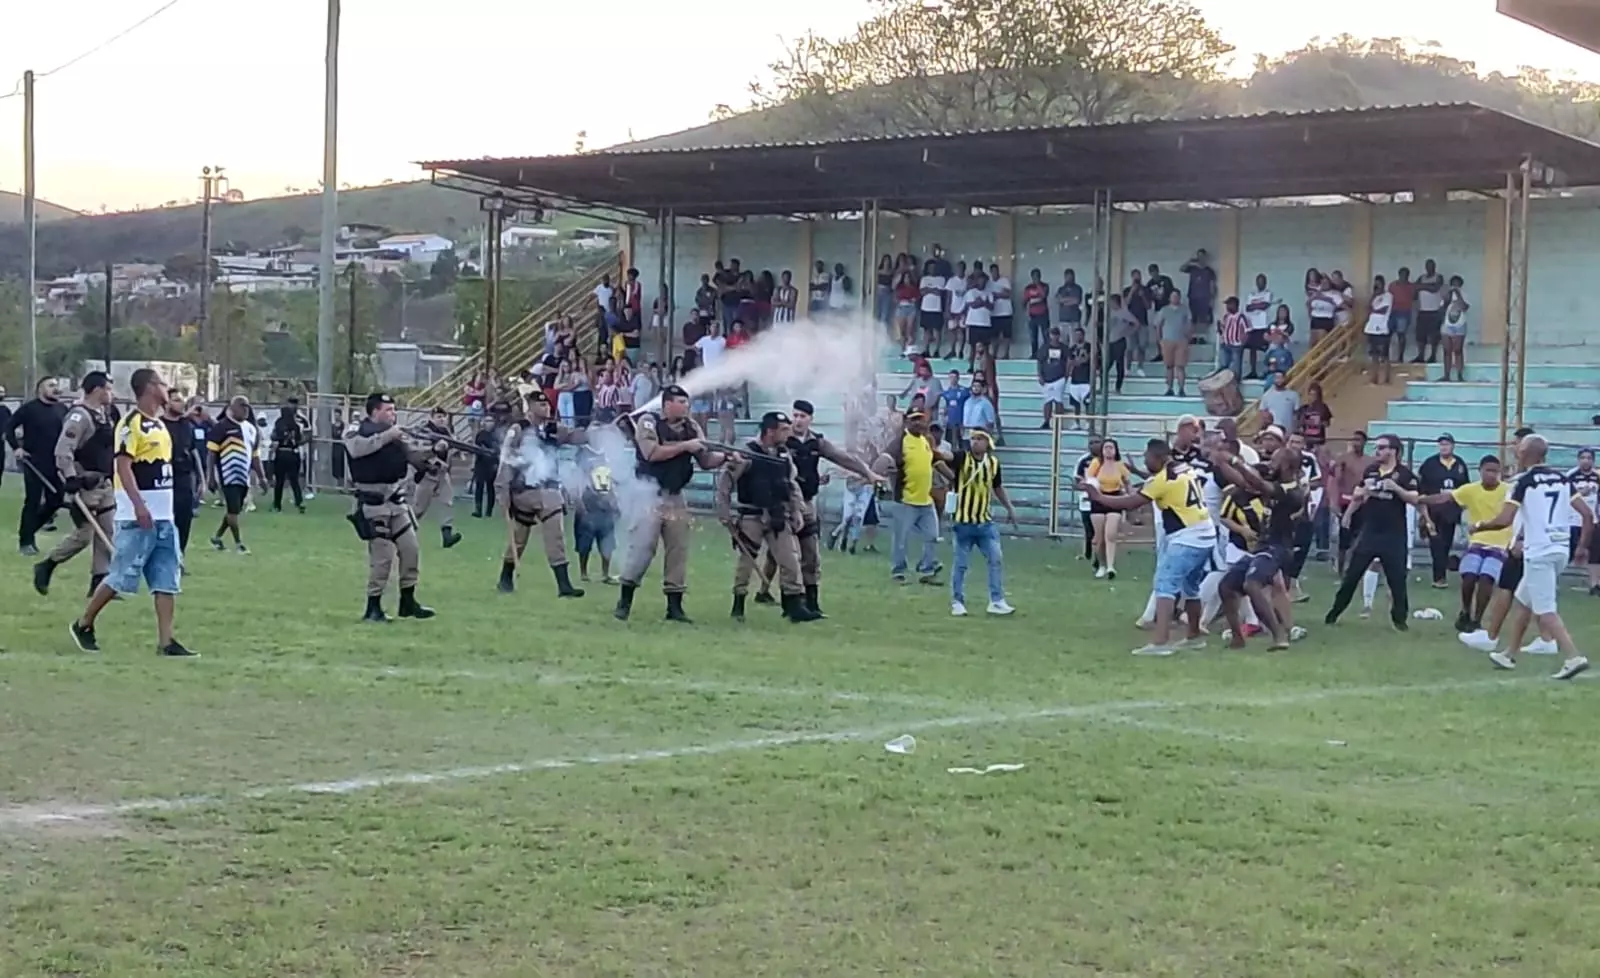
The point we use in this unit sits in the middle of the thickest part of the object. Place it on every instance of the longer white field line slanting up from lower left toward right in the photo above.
(23, 817)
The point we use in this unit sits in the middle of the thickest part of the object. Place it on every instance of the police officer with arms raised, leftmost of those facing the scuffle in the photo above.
(380, 467)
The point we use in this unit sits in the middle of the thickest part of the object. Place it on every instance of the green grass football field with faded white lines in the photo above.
(527, 788)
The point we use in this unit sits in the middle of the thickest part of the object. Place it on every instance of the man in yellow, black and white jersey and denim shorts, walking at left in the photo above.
(146, 540)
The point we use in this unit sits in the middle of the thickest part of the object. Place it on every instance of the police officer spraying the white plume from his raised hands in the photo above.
(668, 447)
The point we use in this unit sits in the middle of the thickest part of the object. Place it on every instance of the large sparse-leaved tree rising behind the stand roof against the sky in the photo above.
(962, 65)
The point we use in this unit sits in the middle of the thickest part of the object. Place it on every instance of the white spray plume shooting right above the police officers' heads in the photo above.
(822, 361)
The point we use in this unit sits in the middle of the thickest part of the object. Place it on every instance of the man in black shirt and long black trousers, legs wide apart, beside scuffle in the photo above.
(1382, 499)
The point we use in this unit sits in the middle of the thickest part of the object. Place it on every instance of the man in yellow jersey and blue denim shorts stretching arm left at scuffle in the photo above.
(1182, 564)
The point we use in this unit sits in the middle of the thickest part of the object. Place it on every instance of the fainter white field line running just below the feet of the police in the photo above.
(514, 676)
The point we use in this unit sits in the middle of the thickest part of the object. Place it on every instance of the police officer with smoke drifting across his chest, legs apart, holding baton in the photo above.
(530, 483)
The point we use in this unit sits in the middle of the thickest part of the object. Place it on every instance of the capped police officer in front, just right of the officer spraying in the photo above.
(761, 503)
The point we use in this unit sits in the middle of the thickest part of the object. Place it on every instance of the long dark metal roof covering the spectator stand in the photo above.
(1273, 154)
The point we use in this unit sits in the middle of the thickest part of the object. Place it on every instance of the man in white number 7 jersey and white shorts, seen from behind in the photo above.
(1546, 507)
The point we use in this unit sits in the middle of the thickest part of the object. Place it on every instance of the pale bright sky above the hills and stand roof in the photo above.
(234, 84)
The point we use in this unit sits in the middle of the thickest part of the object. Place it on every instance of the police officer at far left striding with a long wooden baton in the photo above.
(86, 460)
